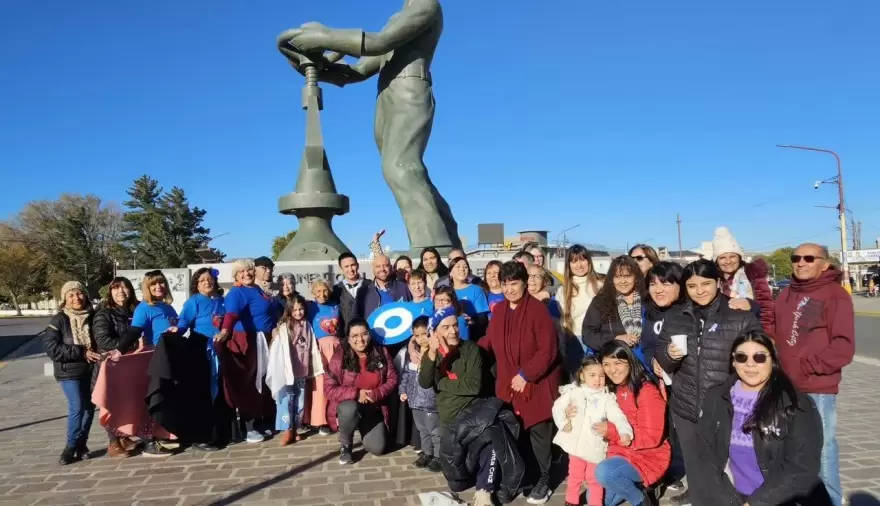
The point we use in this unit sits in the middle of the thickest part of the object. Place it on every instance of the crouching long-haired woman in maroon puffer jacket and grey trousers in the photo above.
(357, 384)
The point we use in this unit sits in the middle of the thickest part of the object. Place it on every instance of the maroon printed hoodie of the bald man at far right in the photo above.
(815, 332)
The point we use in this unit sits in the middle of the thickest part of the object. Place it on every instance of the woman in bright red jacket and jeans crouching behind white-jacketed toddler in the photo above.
(628, 472)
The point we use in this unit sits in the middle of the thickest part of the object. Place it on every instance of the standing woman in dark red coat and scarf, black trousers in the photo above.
(523, 339)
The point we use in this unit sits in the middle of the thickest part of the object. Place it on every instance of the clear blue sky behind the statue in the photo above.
(611, 115)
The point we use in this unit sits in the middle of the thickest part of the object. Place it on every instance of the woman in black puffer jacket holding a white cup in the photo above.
(695, 344)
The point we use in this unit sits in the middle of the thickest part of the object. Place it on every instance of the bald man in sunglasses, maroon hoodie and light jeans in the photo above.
(815, 335)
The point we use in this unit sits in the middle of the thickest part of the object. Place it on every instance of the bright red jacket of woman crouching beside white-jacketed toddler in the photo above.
(649, 452)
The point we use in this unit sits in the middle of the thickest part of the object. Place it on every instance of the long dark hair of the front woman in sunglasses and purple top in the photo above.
(777, 401)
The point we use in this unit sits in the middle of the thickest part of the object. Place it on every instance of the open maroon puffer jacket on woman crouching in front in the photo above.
(339, 386)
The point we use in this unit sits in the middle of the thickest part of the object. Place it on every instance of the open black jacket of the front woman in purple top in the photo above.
(790, 465)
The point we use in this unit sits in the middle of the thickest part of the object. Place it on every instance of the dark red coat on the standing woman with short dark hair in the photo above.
(527, 345)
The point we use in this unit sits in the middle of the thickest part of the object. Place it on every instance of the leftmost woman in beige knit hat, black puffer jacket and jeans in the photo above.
(68, 342)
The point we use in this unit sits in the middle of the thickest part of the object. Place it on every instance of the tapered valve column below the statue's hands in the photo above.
(314, 201)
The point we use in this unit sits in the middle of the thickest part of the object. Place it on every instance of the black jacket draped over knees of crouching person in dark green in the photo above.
(485, 422)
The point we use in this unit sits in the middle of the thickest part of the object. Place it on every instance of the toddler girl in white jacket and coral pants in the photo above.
(576, 435)
